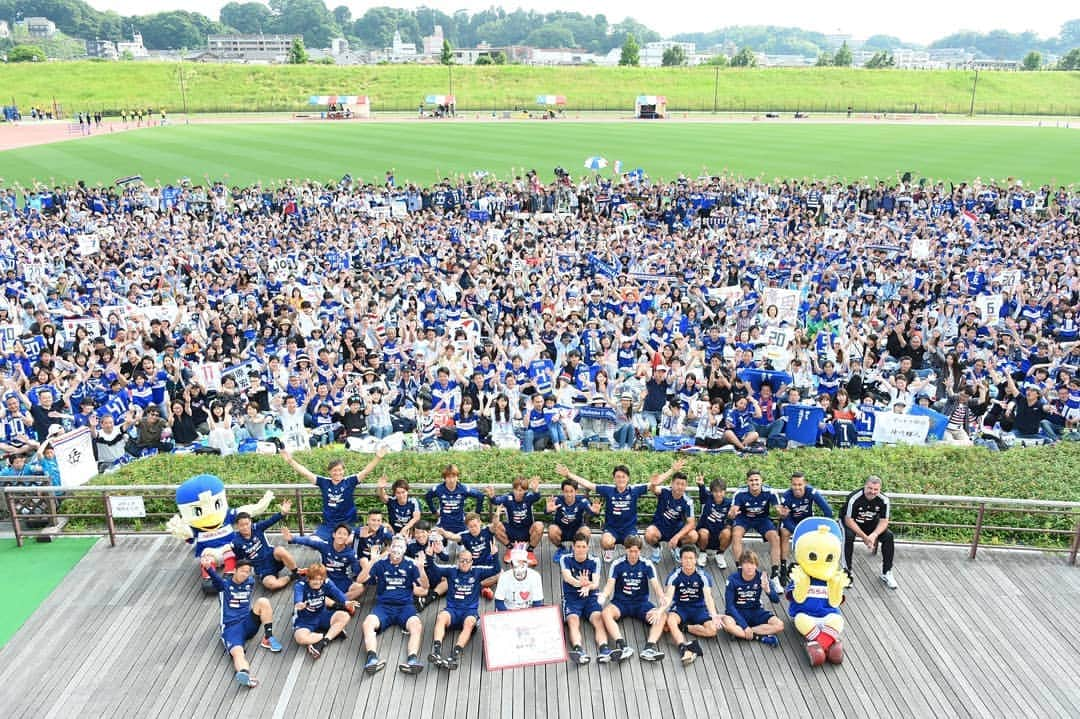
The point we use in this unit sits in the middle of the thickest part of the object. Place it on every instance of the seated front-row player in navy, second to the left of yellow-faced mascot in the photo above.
(688, 602)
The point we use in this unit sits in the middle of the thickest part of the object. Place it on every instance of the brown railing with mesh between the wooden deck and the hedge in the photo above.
(988, 521)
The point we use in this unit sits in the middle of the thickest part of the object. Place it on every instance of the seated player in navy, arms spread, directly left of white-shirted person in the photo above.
(463, 605)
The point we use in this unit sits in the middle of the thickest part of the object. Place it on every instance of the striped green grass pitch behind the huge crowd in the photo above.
(424, 152)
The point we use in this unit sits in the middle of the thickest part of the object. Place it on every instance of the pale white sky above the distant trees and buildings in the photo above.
(912, 21)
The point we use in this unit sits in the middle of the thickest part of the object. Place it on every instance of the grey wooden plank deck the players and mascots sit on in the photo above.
(129, 634)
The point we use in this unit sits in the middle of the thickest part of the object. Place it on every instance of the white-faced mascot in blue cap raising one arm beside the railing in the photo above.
(206, 522)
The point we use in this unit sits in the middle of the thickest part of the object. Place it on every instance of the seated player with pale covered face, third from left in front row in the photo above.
(395, 579)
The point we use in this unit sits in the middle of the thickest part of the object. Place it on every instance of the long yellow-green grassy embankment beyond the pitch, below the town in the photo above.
(112, 87)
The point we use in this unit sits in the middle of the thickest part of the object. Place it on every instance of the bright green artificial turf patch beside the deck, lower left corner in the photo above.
(31, 574)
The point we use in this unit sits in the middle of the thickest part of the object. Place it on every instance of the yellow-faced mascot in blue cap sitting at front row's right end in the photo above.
(816, 591)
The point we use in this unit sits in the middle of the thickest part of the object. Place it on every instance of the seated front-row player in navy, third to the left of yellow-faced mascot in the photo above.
(628, 588)
